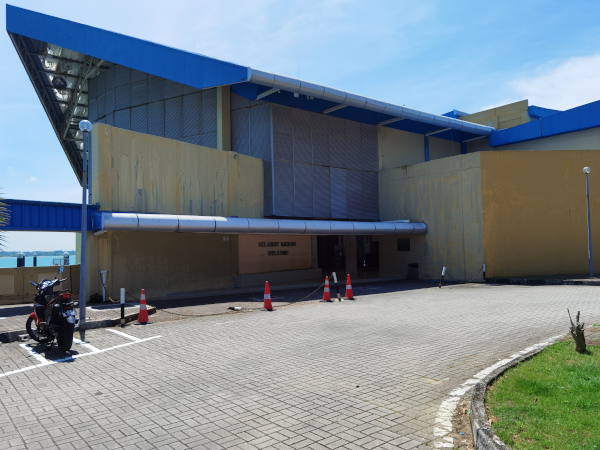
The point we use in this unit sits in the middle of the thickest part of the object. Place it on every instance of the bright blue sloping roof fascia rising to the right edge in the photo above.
(576, 119)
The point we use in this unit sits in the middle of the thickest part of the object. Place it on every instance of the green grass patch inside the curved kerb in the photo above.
(551, 401)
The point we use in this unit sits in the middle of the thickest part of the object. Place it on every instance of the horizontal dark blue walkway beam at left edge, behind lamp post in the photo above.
(29, 215)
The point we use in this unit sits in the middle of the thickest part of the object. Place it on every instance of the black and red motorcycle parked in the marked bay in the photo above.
(53, 315)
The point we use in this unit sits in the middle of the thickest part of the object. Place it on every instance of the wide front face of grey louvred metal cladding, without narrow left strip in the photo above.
(323, 166)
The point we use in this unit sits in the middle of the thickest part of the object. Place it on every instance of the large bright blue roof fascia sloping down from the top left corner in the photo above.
(192, 69)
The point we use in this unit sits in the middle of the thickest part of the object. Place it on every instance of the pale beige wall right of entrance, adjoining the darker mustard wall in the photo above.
(445, 194)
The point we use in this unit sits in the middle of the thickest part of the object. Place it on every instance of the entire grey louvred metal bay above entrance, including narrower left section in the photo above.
(315, 165)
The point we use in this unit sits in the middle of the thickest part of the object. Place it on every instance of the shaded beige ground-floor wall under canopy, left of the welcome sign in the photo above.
(162, 263)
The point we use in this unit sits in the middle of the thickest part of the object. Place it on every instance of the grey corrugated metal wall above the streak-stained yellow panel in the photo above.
(137, 101)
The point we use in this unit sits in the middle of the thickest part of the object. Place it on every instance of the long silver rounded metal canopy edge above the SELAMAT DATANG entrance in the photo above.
(112, 221)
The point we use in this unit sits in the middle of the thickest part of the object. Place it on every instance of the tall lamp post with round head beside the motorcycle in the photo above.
(86, 128)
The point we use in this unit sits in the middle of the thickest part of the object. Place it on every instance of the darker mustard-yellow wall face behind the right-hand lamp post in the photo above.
(534, 211)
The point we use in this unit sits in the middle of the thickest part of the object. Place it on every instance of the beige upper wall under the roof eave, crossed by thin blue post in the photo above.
(401, 148)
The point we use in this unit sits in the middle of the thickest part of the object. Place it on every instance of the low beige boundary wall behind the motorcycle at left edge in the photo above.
(15, 286)
